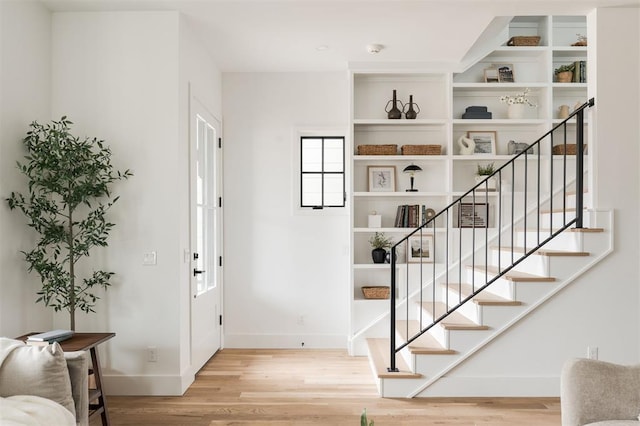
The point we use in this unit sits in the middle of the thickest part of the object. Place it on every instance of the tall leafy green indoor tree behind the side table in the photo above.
(68, 197)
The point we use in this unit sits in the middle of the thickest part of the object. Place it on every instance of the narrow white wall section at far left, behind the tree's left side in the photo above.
(25, 68)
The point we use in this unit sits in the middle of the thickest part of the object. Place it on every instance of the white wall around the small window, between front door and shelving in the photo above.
(280, 266)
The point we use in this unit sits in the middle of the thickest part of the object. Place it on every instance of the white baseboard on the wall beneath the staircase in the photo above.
(494, 387)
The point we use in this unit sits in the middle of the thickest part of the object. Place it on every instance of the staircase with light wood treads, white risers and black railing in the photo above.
(492, 278)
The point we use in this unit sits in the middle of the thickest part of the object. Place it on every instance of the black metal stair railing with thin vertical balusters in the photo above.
(504, 228)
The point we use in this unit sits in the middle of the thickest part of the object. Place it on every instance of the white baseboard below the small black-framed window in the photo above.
(285, 341)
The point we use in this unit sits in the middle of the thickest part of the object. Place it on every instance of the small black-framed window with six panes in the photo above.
(322, 180)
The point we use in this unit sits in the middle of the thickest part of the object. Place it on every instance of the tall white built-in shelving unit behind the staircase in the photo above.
(442, 99)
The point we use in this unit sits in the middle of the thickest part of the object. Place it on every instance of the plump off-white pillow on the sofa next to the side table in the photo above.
(36, 370)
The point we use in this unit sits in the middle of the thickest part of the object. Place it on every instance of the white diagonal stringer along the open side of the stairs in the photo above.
(603, 219)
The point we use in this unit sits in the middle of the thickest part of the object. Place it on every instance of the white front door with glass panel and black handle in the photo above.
(206, 235)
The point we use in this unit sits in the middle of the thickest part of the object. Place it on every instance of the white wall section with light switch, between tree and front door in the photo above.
(115, 74)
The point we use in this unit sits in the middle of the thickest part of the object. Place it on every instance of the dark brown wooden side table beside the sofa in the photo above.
(90, 342)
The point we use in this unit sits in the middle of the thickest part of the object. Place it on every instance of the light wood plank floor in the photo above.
(312, 387)
